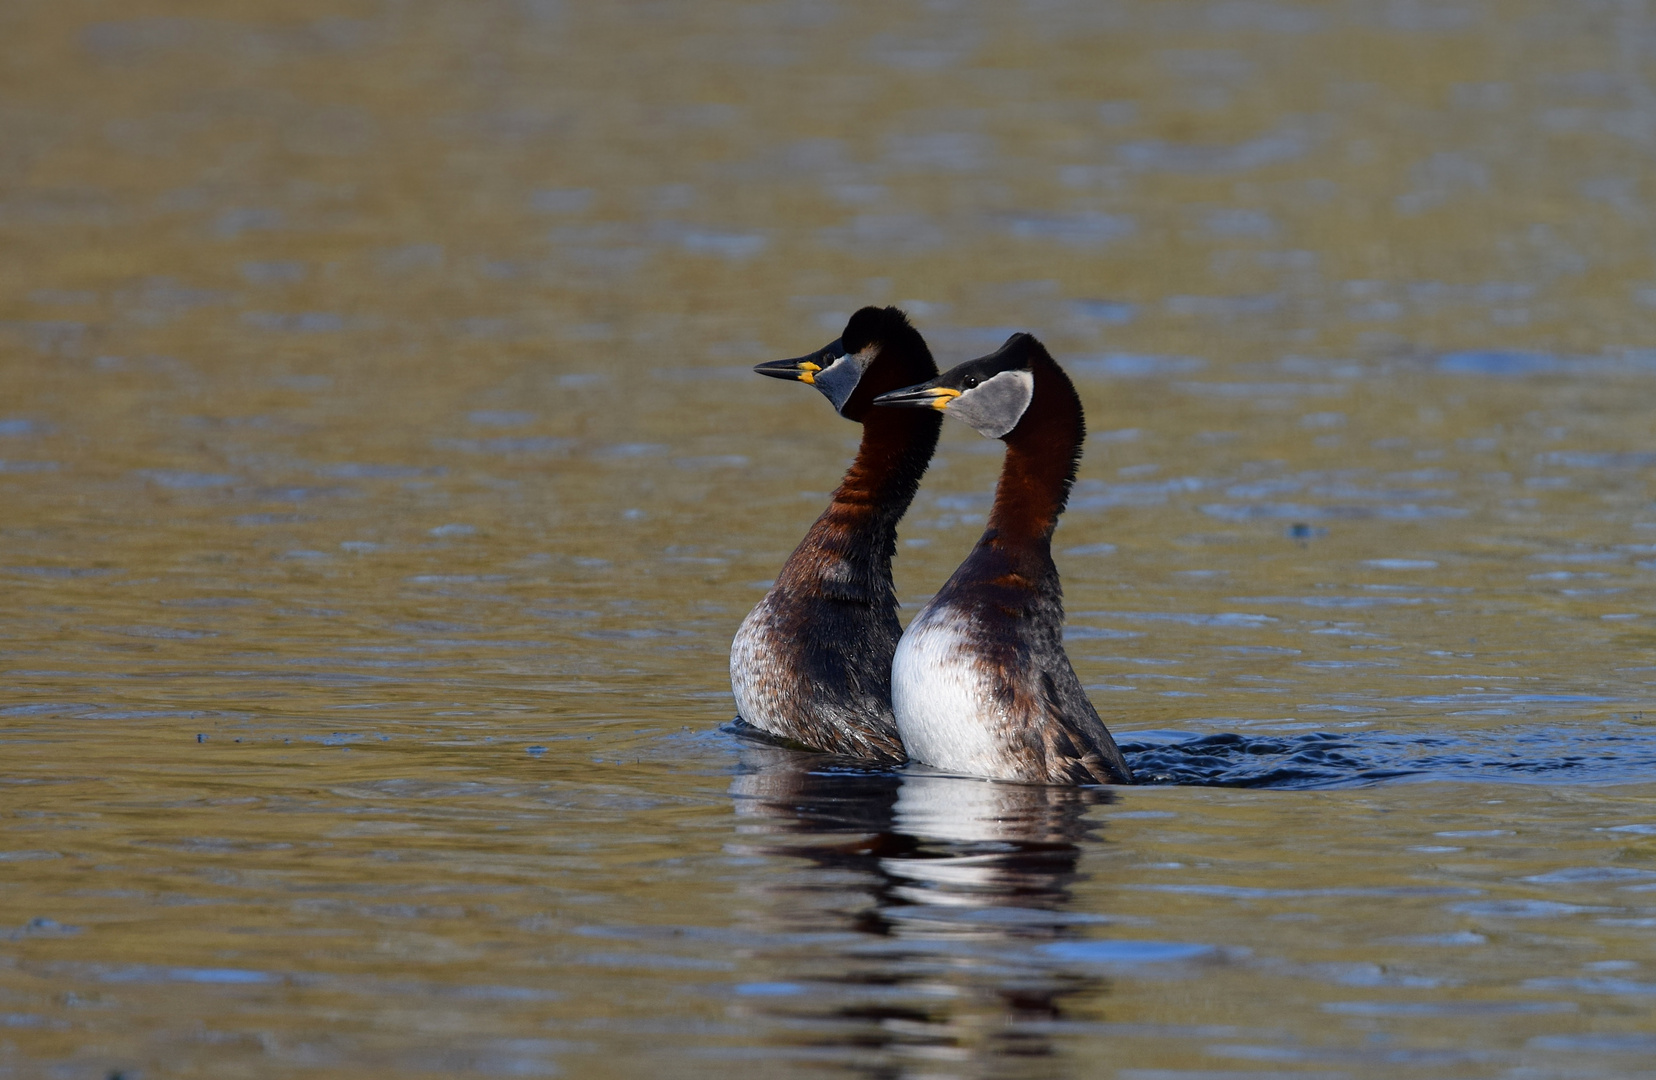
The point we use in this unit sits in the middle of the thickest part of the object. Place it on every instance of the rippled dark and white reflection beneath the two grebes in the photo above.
(907, 909)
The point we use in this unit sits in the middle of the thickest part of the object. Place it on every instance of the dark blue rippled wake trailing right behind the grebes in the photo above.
(1602, 755)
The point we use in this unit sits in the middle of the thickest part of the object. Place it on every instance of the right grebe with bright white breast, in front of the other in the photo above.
(981, 683)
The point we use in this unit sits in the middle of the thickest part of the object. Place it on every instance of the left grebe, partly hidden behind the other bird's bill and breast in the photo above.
(812, 663)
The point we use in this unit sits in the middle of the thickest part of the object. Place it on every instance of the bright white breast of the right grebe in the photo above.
(943, 703)
